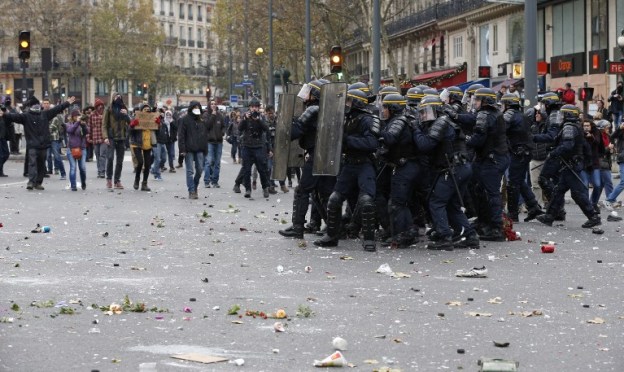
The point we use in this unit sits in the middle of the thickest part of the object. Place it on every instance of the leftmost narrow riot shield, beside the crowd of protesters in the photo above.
(281, 150)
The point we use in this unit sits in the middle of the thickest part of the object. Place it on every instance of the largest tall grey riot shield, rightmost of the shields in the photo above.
(328, 149)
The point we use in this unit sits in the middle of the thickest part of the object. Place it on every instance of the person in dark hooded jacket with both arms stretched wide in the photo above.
(37, 130)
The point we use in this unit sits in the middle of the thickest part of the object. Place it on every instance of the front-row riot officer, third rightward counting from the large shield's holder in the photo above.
(445, 142)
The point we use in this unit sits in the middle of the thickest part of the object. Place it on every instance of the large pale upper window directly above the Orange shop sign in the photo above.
(568, 27)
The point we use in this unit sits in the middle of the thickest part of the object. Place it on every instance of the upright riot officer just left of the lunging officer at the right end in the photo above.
(520, 146)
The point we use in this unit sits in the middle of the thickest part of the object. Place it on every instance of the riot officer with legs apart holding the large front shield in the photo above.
(359, 142)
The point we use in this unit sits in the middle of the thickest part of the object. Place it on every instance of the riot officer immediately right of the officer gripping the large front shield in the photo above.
(401, 156)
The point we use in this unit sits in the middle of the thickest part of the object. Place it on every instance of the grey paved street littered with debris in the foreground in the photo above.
(195, 259)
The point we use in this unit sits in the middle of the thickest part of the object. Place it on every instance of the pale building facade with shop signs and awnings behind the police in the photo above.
(443, 43)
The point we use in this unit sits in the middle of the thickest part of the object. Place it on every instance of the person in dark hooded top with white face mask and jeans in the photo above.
(193, 145)
